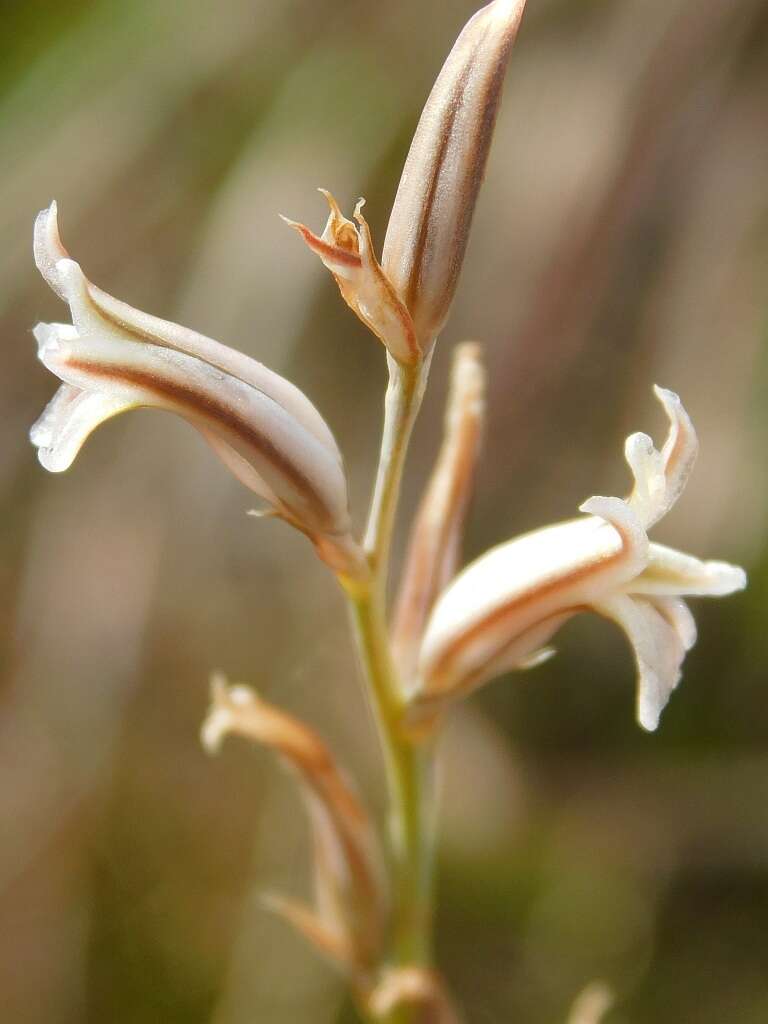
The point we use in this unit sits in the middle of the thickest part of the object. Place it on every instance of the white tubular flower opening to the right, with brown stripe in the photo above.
(502, 611)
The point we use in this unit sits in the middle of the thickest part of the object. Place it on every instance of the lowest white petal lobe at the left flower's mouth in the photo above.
(69, 419)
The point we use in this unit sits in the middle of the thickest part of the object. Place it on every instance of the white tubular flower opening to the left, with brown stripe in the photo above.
(114, 358)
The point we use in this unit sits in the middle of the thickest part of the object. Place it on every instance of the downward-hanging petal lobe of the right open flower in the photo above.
(659, 653)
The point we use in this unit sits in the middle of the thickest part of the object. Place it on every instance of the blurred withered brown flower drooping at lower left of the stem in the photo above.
(348, 921)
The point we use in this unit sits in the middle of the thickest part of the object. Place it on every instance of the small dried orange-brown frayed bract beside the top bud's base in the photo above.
(347, 249)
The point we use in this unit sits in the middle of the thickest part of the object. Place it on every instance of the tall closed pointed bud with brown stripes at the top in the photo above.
(433, 214)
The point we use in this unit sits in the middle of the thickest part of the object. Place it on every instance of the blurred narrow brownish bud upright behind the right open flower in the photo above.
(435, 547)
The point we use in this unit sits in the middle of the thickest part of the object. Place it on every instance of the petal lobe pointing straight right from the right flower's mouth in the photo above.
(672, 573)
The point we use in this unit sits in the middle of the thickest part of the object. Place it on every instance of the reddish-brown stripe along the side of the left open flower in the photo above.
(207, 407)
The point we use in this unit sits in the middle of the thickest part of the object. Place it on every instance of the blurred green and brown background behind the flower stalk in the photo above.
(622, 239)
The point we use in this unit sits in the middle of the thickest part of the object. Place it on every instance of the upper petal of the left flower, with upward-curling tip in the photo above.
(95, 312)
